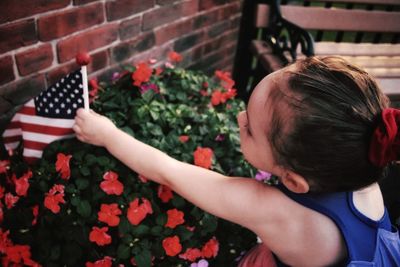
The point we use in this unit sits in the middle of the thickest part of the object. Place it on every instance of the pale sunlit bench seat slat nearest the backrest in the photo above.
(351, 49)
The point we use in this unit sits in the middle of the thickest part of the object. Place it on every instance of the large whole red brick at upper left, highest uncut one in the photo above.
(63, 23)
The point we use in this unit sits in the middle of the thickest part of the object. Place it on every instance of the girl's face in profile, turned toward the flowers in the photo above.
(254, 125)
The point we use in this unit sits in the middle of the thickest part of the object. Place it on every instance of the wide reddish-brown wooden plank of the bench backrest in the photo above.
(318, 18)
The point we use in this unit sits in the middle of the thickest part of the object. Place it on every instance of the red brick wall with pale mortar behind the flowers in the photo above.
(39, 39)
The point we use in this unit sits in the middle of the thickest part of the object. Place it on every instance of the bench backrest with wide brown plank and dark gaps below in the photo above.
(366, 20)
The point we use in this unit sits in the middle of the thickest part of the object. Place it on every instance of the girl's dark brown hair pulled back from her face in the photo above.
(323, 121)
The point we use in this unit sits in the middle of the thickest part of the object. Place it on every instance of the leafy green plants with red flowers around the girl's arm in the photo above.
(79, 206)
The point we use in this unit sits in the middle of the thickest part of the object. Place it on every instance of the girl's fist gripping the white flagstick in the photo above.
(93, 128)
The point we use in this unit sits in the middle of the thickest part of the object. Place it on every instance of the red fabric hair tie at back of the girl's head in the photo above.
(385, 143)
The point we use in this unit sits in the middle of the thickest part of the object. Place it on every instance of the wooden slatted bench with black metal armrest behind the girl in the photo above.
(366, 32)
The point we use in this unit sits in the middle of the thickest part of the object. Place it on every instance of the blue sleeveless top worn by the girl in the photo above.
(369, 242)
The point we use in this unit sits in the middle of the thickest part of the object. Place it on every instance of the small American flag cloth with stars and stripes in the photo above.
(47, 117)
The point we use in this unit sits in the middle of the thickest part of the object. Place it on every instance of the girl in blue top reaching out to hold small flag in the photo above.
(321, 125)
